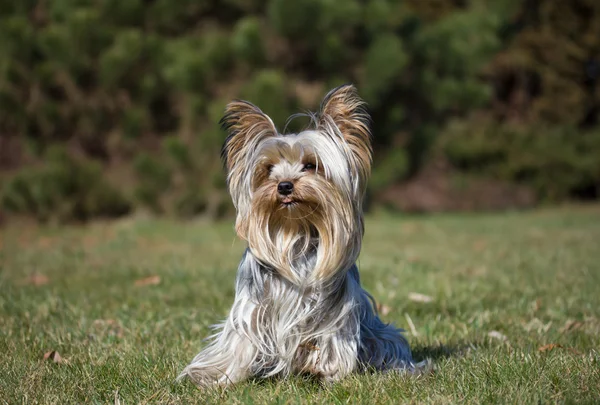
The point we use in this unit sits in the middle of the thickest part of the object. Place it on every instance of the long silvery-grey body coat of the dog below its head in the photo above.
(276, 328)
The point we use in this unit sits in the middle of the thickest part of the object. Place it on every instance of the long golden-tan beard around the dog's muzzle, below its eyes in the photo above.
(307, 237)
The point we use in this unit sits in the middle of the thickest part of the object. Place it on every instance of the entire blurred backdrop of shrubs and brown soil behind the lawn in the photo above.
(111, 107)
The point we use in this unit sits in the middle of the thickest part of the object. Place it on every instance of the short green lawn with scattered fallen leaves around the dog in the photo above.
(515, 315)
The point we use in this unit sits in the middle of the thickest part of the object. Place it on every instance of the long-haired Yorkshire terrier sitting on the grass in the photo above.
(299, 306)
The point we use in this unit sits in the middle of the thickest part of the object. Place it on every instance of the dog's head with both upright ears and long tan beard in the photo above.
(300, 193)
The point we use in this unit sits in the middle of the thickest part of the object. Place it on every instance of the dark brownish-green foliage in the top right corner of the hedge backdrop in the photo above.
(553, 60)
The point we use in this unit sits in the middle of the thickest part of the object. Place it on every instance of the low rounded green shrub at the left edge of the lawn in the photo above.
(63, 189)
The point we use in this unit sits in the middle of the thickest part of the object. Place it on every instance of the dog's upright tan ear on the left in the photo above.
(246, 125)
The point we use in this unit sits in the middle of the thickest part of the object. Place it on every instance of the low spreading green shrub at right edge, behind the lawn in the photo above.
(556, 162)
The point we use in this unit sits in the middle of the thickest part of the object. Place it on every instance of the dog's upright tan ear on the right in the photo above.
(346, 111)
